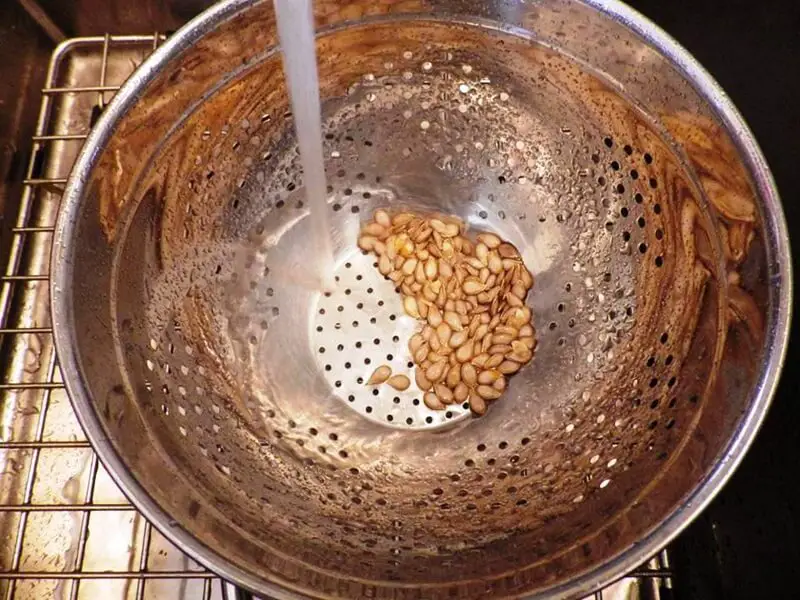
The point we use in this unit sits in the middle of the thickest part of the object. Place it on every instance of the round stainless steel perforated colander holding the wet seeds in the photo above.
(226, 394)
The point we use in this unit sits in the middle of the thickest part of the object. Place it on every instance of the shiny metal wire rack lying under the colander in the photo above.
(66, 531)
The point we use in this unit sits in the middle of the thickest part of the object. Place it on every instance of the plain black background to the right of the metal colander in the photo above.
(746, 544)
